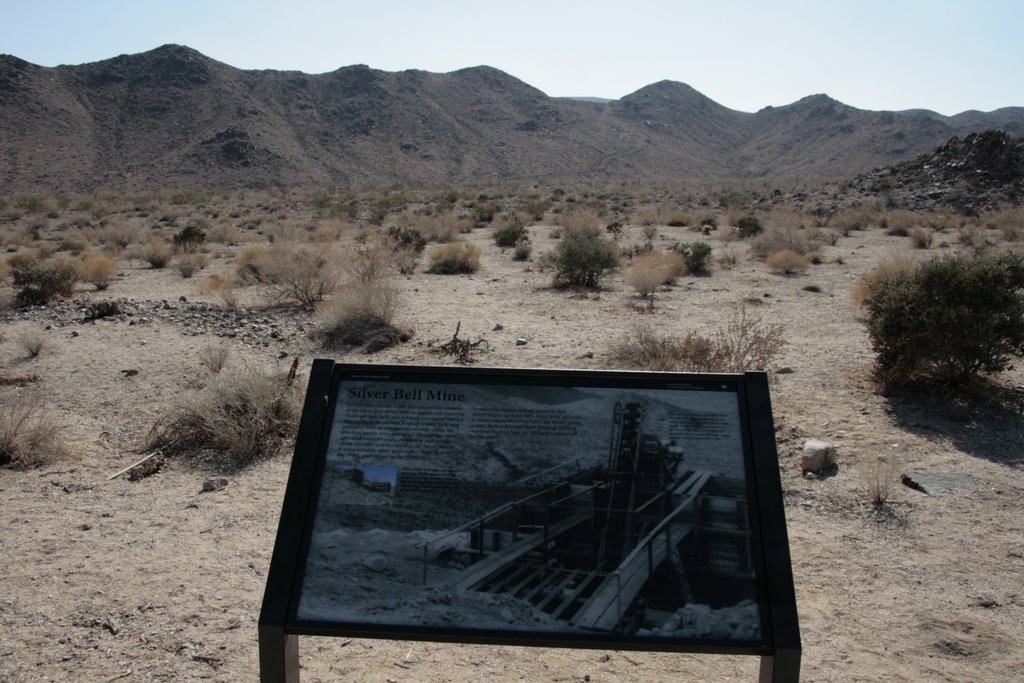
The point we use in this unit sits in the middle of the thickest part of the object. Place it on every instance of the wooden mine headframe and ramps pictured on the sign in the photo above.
(622, 548)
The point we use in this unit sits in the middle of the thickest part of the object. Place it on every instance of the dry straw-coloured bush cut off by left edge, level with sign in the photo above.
(29, 438)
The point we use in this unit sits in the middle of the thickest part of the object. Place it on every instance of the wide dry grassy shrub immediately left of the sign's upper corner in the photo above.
(241, 415)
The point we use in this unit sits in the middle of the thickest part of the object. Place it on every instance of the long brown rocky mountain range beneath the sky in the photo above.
(175, 118)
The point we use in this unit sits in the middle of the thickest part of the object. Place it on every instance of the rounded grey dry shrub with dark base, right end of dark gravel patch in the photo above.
(361, 316)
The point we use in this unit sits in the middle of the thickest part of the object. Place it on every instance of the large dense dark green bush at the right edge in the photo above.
(948, 321)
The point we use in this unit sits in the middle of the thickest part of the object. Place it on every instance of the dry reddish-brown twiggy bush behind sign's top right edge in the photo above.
(745, 344)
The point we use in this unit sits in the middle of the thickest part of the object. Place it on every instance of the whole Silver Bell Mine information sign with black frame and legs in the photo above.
(561, 508)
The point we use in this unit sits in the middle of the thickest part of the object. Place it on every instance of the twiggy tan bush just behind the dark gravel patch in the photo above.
(303, 274)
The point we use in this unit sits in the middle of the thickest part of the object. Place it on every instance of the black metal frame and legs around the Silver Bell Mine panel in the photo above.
(279, 629)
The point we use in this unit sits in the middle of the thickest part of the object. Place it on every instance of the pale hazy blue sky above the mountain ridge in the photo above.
(944, 56)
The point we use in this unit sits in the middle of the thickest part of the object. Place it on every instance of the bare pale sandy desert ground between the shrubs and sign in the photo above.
(157, 579)
